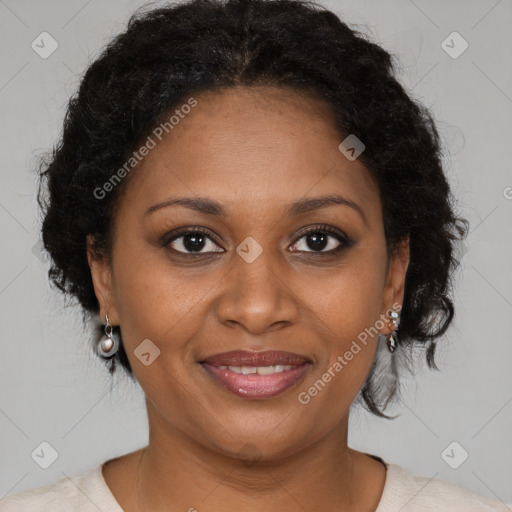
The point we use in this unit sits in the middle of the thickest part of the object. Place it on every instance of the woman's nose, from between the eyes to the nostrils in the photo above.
(258, 296)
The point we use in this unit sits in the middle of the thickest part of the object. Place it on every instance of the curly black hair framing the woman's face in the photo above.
(169, 53)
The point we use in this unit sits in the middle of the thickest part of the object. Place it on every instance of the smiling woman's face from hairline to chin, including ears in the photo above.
(260, 276)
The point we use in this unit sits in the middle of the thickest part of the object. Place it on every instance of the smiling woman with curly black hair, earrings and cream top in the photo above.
(258, 214)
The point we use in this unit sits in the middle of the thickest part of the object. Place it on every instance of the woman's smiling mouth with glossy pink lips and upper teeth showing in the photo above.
(256, 375)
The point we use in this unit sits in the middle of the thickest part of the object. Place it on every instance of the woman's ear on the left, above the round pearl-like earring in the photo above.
(101, 273)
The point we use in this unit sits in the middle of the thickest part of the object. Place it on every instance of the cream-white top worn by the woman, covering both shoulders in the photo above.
(403, 492)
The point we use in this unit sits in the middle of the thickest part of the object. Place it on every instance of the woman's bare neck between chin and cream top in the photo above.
(176, 469)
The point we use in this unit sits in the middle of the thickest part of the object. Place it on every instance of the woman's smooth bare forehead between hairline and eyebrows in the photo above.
(244, 146)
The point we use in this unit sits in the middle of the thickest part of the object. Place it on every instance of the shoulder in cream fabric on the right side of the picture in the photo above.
(407, 492)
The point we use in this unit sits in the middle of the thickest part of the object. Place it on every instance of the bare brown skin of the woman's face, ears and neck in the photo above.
(254, 150)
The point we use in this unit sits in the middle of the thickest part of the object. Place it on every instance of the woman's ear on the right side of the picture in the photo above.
(395, 281)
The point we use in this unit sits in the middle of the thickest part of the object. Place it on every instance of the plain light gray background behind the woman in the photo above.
(53, 389)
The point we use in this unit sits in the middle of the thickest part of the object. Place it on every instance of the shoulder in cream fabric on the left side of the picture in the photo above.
(86, 492)
